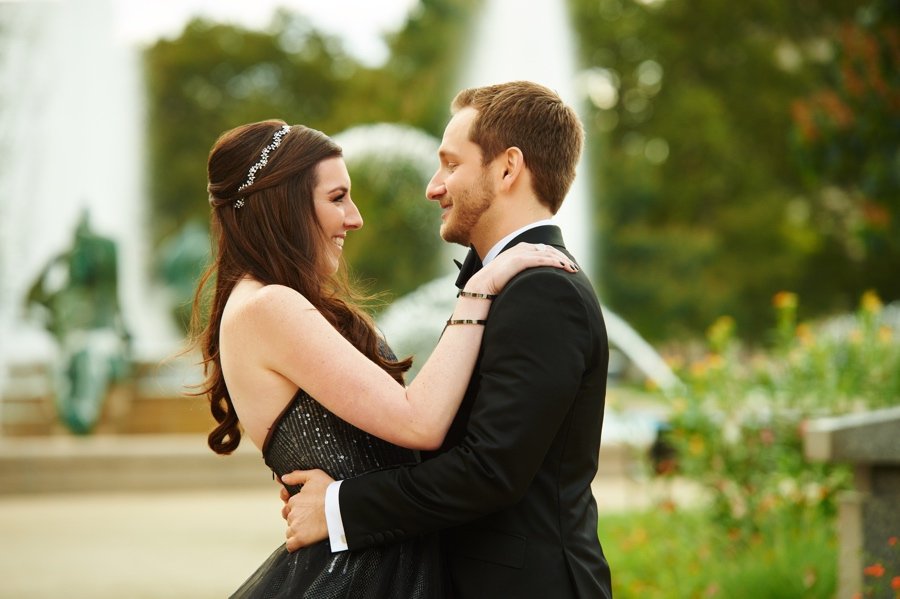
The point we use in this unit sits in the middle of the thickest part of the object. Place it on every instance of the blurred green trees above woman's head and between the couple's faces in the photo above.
(214, 76)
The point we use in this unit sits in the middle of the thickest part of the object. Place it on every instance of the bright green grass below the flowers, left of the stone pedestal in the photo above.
(681, 554)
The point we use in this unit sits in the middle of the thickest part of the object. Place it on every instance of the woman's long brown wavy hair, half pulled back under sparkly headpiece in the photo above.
(275, 238)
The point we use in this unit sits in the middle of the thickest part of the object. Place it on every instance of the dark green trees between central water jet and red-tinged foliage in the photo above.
(702, 211)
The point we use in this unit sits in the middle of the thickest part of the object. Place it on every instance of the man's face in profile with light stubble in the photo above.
(461, 184)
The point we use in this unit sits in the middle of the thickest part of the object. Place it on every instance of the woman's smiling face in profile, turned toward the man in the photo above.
(334, 209)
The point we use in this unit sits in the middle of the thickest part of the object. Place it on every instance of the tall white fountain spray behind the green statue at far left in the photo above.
(71, 139)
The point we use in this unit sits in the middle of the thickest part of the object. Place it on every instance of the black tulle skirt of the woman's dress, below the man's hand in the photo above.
(407, 570)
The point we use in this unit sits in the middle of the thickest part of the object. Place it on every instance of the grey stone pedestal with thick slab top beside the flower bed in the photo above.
(869, 515)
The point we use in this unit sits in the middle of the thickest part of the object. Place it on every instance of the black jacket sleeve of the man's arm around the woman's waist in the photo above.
(536, 347)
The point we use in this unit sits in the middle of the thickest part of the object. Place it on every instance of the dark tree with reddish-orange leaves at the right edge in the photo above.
(846, 136)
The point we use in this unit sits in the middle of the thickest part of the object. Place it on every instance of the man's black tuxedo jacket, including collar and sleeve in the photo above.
(511, 487)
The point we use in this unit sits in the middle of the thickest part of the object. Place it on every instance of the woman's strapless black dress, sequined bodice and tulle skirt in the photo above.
(306, 436)
